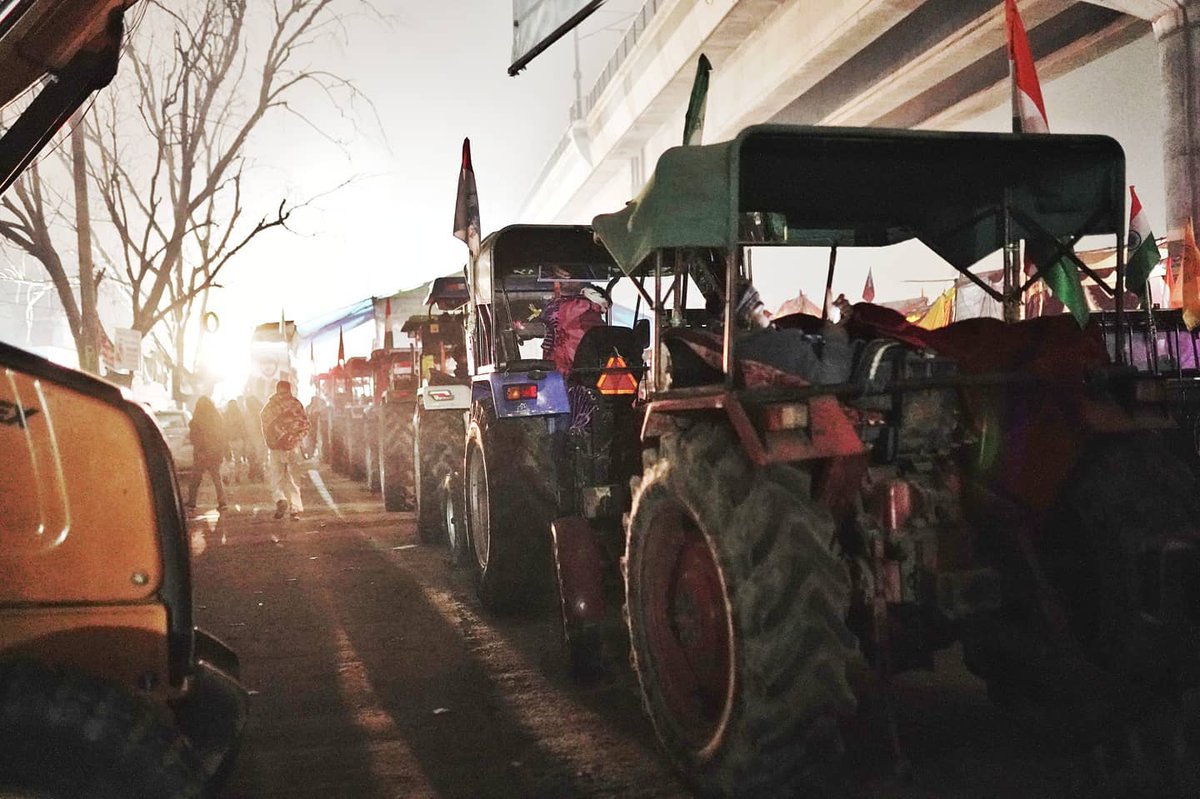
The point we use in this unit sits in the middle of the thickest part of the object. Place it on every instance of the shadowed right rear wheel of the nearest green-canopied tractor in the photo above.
(1124, 554)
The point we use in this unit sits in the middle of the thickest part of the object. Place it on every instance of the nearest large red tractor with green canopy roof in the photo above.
(791, 515)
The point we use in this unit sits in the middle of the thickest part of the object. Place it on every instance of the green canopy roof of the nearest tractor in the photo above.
(875, 188)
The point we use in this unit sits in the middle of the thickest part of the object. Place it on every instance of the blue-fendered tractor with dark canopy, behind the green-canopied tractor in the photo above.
(519, 406)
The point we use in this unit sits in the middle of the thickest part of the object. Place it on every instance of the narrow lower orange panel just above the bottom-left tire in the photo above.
(123, 644)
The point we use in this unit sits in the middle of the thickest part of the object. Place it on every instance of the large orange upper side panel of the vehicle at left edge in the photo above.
(77, 515)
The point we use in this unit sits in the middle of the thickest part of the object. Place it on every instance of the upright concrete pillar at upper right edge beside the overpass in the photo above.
(1179, 49)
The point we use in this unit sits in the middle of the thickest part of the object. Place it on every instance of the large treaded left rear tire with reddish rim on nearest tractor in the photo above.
(736, 608)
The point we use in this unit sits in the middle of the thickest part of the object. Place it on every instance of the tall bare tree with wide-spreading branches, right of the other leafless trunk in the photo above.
(203, 81)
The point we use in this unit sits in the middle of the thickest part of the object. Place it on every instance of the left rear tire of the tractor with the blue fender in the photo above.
(512, 496)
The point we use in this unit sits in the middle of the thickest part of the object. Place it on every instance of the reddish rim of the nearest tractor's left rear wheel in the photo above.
(688, 627)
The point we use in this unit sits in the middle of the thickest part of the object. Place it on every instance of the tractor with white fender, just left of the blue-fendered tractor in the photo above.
(442, 405)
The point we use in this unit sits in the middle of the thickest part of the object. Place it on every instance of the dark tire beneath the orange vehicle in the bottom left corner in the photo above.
(67, 735)
